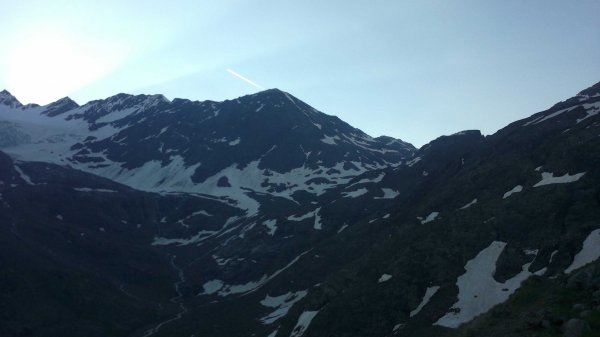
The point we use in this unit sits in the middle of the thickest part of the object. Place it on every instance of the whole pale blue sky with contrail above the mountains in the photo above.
(414, 69)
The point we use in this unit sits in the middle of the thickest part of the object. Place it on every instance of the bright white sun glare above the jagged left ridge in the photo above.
(46, 66)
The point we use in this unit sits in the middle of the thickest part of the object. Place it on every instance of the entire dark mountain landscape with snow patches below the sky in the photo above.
(261, 216)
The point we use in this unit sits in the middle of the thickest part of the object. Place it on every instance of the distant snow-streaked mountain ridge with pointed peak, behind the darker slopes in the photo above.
(269, 142)
